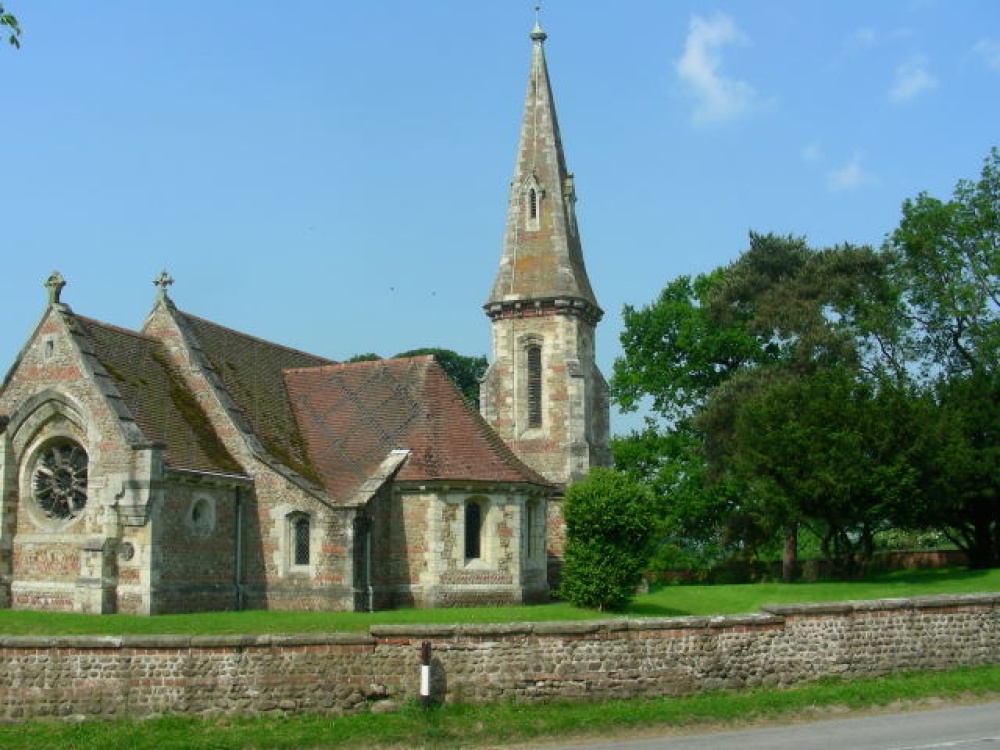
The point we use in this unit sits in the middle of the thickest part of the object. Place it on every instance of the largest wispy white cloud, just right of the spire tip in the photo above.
(717, 97)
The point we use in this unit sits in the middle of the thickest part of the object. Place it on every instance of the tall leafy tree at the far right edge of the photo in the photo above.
(946, 267)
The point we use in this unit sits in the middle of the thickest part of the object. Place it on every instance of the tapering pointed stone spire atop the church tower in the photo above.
(542, 260)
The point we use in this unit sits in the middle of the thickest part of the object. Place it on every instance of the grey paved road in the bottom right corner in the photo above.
(955, 728)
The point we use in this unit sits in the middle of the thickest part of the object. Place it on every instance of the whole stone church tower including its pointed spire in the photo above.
(543, 392)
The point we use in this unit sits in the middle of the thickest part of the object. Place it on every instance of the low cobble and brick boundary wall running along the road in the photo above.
(137, 676)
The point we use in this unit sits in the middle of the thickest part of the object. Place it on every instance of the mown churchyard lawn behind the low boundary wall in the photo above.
(667, 601)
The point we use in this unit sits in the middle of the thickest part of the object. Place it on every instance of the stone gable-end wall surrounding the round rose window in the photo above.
(52, 562)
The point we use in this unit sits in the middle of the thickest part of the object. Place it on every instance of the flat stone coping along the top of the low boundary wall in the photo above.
(772, 615)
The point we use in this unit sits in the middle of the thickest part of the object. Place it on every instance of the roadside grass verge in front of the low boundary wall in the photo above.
(465, 726)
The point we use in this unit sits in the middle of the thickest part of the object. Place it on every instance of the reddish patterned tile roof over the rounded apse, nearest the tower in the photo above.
(353, 415)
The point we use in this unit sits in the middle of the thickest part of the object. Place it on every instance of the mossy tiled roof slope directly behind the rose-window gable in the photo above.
(155, 395)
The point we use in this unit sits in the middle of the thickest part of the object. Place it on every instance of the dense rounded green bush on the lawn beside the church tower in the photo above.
(610, 520)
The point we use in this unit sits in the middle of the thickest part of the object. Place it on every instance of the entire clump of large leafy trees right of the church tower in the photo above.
(840, 389)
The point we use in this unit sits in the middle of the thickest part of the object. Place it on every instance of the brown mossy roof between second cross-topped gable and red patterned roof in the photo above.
(251, 372)
